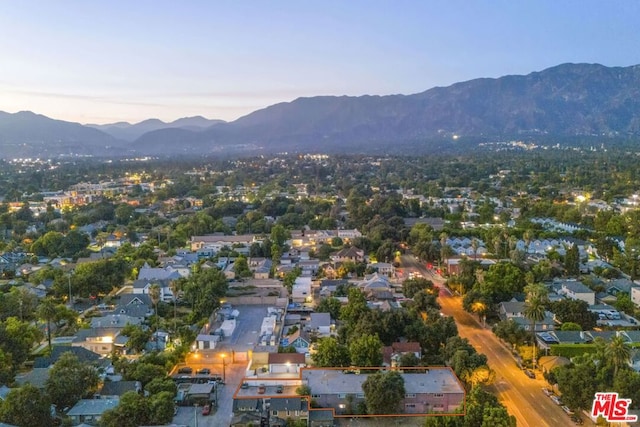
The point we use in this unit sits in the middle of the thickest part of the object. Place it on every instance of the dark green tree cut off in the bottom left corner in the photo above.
(26, 407)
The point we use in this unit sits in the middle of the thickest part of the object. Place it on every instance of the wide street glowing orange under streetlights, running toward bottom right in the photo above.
(521, 395)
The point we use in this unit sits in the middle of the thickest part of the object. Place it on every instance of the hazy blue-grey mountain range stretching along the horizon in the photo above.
(566, 101)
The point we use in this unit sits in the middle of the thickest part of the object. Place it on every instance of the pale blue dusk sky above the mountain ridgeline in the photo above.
(109, 61)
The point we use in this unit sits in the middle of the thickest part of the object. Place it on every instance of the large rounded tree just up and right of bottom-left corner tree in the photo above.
(70, 380)
